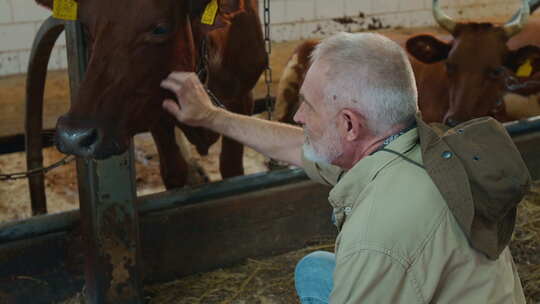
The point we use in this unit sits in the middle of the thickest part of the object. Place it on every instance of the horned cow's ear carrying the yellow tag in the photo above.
(524, 61)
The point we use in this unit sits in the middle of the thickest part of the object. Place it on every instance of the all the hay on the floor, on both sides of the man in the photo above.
(271, 280)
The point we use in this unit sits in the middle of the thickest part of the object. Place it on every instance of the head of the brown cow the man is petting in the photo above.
(133, 45)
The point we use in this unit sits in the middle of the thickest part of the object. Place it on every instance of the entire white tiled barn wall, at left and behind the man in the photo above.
(291, 19)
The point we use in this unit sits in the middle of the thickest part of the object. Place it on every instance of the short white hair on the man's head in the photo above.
(371, 74)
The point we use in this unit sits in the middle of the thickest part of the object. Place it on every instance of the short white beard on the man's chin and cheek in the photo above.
(329, 147)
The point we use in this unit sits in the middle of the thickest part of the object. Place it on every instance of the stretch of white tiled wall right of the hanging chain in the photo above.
(293, 19)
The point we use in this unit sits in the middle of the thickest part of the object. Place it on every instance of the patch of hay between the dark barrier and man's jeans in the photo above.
(264, 281)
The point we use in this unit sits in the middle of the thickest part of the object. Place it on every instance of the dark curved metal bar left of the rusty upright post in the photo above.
(42, 47)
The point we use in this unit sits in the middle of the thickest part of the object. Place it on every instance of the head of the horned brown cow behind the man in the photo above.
(477, 62)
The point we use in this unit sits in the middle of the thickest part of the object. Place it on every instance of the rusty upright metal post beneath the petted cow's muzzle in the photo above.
(108, 216)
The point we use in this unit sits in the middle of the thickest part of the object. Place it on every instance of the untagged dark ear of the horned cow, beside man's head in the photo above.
(427, 48)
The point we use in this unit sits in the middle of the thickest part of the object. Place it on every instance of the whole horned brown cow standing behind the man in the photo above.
(456, 80)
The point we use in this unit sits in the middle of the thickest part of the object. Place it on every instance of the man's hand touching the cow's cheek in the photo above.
(194, 107)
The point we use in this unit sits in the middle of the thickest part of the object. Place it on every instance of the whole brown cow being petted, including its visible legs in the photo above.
(134, 45)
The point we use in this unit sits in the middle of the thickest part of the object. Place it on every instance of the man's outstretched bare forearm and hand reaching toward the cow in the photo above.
(273, 139)
